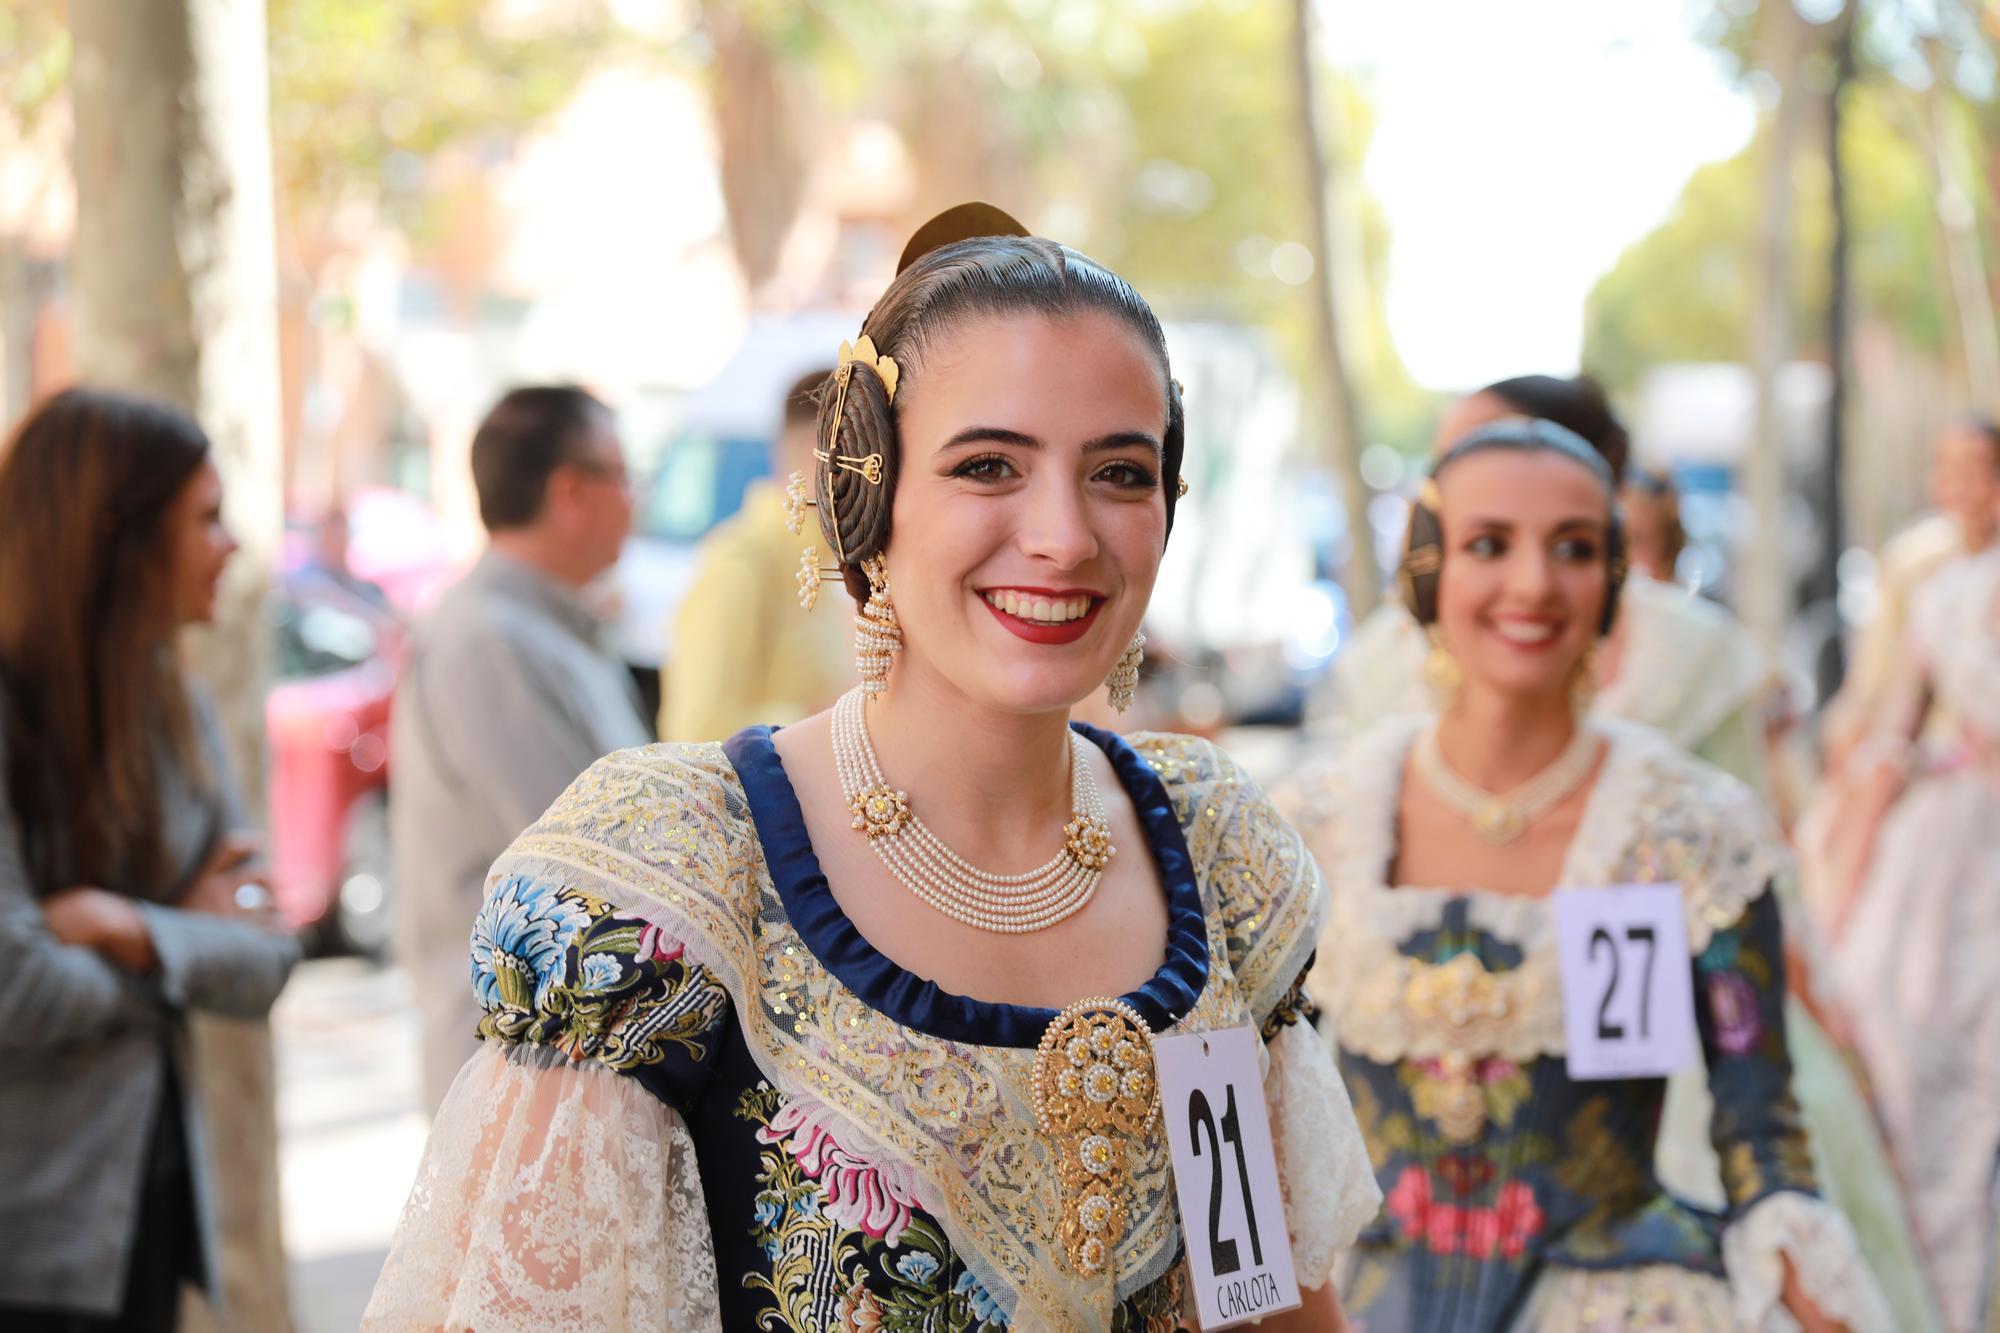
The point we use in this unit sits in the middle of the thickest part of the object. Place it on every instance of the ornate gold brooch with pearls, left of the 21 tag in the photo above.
(1095, 1094)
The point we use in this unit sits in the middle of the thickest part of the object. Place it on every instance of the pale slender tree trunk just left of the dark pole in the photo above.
(1765, 597)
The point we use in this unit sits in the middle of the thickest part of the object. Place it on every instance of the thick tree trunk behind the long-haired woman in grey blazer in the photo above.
(175, 283)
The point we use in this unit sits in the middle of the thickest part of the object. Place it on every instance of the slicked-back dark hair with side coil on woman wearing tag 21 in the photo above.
(981, 277)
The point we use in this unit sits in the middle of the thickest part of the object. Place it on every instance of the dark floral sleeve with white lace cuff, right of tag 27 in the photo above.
(1761, 1140)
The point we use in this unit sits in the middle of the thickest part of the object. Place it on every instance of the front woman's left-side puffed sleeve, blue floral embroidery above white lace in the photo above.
(561, 1188)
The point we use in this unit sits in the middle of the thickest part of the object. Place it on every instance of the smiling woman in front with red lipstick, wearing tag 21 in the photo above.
(773, 1028)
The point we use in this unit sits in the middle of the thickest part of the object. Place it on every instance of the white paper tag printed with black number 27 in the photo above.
(1627, 982)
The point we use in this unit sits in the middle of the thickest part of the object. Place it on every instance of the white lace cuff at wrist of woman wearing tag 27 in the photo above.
(1821, 1244)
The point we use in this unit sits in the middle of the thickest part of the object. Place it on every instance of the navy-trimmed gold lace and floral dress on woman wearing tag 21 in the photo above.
(707, 1102)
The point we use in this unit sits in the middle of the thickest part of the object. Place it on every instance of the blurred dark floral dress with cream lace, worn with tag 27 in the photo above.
(1519, 1198)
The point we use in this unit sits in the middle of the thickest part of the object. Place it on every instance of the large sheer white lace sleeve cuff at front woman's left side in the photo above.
(551, 1196)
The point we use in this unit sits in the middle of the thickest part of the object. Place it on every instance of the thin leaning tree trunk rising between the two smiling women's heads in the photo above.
(1337, 397)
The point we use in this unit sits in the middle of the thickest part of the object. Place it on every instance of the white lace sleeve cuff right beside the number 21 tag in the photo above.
(1323, 1166)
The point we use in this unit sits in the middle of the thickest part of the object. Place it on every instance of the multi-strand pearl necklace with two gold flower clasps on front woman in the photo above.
(947, 882)
